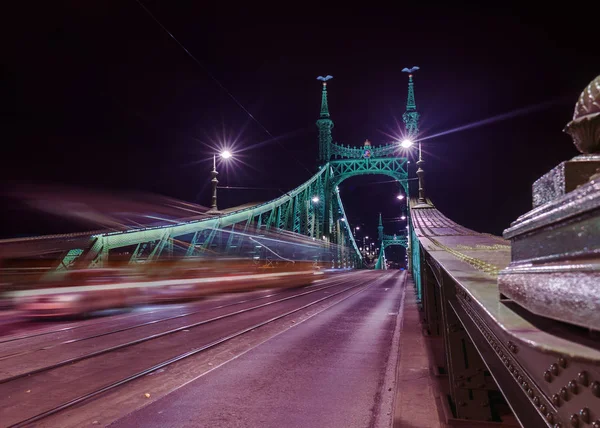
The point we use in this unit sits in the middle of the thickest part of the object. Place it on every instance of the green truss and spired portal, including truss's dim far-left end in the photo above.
(313, 209)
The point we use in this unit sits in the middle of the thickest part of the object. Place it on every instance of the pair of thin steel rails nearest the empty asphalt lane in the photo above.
(126, 378)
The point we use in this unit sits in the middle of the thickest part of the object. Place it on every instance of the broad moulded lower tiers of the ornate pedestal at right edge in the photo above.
(555, 258)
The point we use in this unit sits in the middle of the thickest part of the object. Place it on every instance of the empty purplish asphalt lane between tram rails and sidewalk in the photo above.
(333, 369)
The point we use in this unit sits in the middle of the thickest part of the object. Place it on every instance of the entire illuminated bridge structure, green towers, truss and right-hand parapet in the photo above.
(510, 321)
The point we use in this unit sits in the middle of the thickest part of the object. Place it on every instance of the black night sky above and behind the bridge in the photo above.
(98, 95)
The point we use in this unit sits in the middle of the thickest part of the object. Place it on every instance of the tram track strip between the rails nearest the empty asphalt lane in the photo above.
(159, 350)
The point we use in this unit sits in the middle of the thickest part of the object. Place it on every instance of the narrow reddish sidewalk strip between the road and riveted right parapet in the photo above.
(415, 405)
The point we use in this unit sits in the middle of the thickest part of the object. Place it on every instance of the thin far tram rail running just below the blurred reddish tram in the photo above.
(147, 323)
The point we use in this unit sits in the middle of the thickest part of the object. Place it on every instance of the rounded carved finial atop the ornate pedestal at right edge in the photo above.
(585, 126)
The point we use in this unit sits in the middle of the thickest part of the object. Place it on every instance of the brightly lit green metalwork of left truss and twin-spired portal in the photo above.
(312, 209)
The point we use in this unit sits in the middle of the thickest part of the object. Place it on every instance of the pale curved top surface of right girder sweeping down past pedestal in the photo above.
(473, 260)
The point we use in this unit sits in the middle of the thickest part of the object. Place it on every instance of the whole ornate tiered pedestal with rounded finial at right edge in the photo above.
(555, 247)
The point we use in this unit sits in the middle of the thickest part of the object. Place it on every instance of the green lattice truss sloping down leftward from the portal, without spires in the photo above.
(313, 209)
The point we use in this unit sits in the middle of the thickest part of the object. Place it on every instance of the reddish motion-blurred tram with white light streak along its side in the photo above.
(82, 292)
